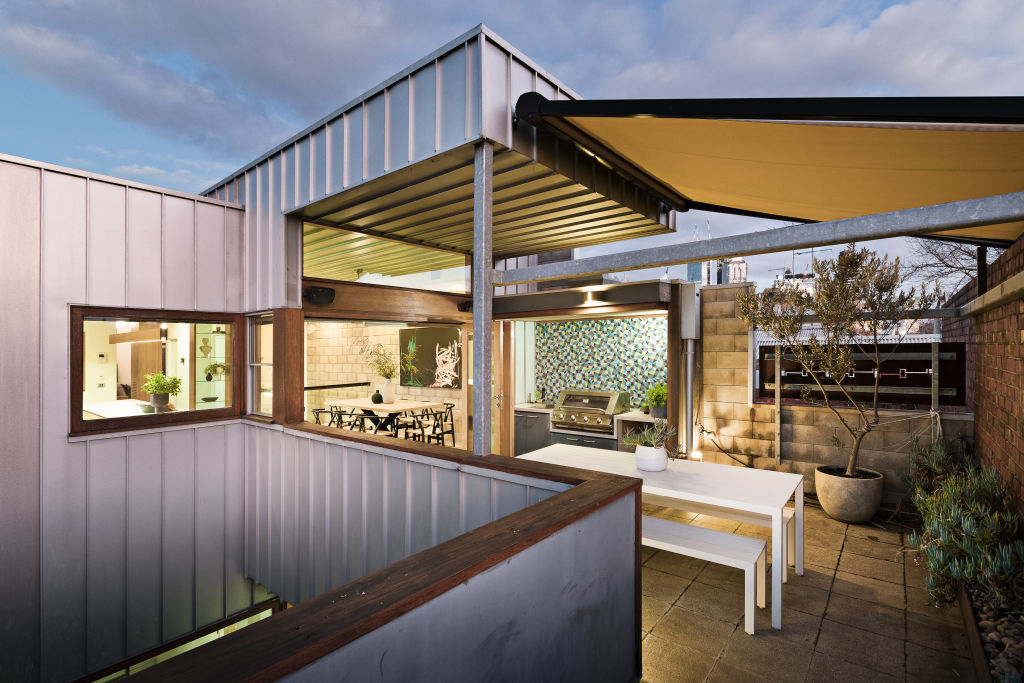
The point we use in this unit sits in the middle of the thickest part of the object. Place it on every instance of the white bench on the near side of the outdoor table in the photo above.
(720, 547)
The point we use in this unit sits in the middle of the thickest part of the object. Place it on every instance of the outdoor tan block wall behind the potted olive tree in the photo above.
(747, 431)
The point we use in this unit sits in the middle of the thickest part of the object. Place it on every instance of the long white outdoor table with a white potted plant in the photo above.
(759, 492)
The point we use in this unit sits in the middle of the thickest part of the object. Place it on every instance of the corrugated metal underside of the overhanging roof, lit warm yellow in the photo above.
(536, 209)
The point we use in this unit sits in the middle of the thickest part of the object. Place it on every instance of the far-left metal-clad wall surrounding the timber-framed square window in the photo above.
(106, 589)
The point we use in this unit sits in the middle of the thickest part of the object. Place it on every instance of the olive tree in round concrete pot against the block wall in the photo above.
(858, 300)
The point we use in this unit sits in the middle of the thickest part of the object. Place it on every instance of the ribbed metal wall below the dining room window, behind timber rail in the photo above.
(322, 513)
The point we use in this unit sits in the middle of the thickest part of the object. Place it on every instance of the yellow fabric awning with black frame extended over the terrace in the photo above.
(809, 160)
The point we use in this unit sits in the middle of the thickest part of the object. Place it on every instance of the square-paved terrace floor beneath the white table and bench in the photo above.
(859, 614)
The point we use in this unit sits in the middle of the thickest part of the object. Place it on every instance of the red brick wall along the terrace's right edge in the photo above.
(996, 372)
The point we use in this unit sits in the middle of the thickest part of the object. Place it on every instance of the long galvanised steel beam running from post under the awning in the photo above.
(921, 221)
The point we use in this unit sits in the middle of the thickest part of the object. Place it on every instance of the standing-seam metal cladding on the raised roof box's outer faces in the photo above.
(461, 94)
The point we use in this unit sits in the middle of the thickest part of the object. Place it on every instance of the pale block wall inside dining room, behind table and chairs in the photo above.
(333, 359)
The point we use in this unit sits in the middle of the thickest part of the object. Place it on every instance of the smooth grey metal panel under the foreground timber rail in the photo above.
(564, 610)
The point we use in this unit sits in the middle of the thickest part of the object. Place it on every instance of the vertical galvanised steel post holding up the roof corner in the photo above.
(484, 291)
